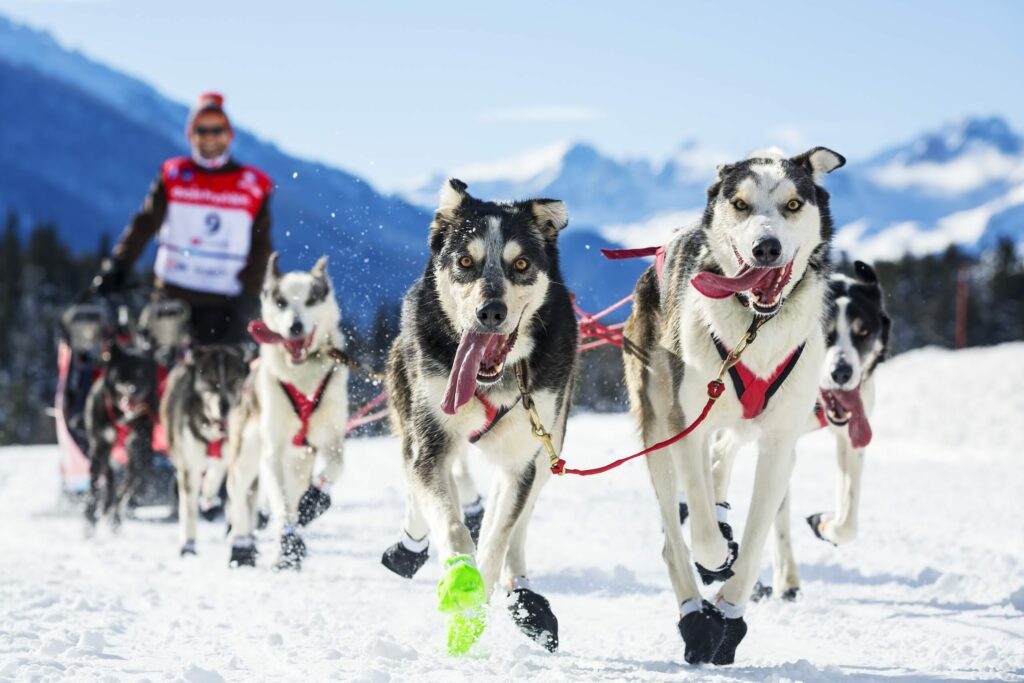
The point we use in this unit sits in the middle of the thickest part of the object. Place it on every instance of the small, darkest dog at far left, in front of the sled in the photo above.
(121, 405)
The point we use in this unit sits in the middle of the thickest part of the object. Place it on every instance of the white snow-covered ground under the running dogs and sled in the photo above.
(933, 590)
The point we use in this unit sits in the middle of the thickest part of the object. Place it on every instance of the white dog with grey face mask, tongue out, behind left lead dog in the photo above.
(293, 411)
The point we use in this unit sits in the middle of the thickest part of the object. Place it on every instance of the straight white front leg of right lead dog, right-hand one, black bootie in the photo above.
(776, 459)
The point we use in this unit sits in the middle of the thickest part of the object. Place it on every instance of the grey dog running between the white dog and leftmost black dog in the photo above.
(194, 412)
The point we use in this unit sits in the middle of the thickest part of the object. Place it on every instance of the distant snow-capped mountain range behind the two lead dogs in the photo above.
(962, 185)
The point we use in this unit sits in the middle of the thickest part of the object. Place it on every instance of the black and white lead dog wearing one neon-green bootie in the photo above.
(490, 311)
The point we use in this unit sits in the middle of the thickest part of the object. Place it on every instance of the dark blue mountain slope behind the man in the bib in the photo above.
(80, 145)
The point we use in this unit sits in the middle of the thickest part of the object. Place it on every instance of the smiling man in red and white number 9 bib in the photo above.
(215, 232)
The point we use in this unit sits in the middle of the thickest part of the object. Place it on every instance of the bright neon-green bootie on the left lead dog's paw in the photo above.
(461, 595)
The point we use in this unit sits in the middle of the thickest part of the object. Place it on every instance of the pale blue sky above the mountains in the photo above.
(395, 91)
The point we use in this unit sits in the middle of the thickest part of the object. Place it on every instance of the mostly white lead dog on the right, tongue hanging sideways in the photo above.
(759, 257)
